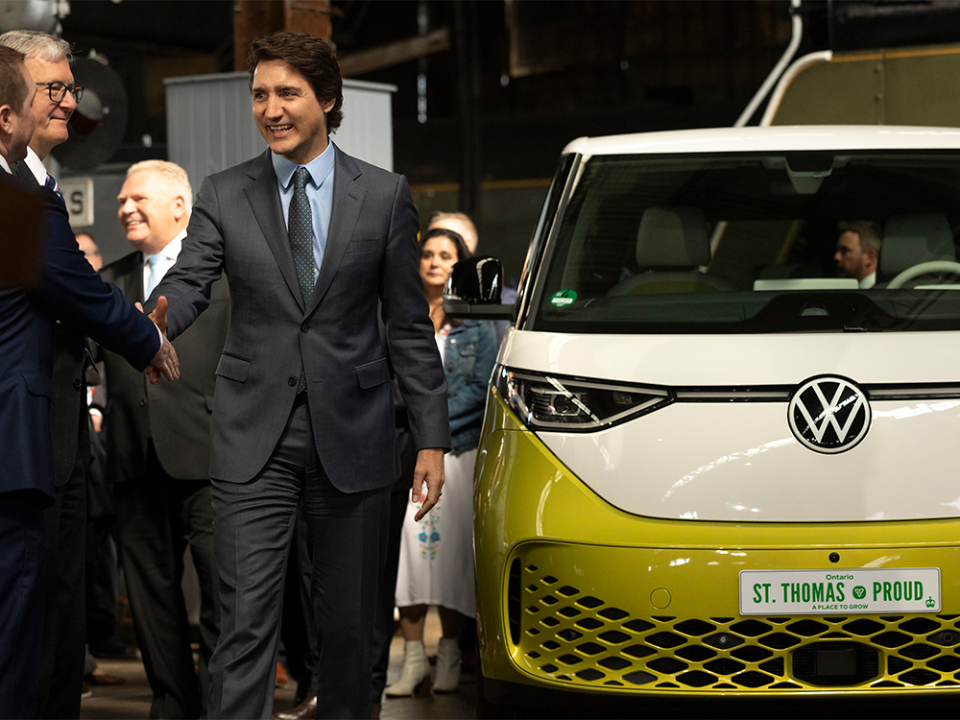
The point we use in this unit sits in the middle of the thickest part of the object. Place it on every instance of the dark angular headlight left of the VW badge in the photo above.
(554, 402)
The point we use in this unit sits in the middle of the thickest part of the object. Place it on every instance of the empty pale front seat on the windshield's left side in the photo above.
(672, 244)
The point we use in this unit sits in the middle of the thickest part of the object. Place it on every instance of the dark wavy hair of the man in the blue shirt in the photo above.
(313, 58)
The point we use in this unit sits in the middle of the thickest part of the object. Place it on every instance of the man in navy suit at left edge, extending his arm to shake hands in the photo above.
(68, 291)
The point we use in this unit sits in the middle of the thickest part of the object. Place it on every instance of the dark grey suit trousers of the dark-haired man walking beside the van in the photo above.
(254, 523)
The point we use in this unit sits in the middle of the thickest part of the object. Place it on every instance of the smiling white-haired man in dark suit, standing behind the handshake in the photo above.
(158, 450)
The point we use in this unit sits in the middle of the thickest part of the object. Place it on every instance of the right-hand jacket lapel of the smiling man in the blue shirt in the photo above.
(348, 197)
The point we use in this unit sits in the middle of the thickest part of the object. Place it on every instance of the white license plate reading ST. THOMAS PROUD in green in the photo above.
(839, 592)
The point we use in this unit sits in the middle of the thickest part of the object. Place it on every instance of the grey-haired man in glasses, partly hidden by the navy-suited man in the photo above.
(61, 672)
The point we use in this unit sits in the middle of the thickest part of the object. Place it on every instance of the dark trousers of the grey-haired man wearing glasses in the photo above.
(64, 636)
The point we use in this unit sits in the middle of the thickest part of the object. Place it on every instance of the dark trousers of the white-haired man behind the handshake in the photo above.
(158, 519)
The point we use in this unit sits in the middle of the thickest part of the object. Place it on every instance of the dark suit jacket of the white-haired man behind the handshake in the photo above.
(176, 415)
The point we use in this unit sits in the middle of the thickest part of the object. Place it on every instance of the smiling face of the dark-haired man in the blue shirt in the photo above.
(289, 116)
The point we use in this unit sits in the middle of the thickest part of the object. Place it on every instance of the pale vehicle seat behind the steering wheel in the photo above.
(909, 240)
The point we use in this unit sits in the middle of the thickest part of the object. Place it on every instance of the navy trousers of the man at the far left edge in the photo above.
(23, 547)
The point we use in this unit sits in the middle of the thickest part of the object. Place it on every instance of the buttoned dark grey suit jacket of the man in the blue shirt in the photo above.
(371, 257)
